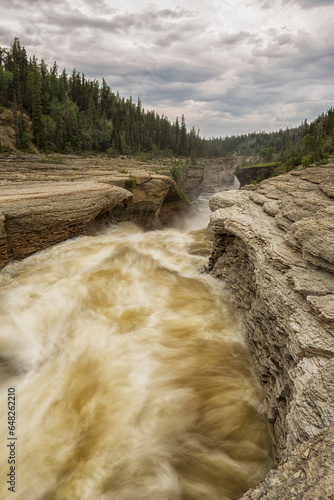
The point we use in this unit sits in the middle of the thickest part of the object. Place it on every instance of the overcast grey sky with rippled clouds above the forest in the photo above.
(230, 67)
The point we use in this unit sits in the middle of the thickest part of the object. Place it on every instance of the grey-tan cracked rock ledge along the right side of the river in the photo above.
(274, 248)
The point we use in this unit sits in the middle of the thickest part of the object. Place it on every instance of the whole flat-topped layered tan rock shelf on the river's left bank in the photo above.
(45, 203)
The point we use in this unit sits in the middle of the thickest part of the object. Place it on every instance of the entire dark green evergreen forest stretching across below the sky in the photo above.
(73, 114)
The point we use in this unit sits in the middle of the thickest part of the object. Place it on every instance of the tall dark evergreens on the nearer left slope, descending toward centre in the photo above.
(71, 113)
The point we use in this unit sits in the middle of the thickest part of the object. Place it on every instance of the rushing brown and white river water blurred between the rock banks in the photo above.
(131, 374)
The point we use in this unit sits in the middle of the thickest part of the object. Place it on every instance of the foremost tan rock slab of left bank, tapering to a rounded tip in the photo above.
(37, 215)
